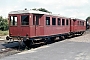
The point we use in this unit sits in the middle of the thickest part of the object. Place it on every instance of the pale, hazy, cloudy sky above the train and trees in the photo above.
(68, 8)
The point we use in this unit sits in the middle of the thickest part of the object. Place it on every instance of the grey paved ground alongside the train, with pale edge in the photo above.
(77, 48)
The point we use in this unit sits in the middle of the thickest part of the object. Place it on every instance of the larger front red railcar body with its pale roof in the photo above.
(37, 24)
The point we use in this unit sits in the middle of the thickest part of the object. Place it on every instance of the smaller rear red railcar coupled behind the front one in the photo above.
(78, 26)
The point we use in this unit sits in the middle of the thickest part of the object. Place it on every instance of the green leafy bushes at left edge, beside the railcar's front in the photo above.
(3, 24)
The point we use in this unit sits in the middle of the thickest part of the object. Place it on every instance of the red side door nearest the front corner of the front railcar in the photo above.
(38, 25)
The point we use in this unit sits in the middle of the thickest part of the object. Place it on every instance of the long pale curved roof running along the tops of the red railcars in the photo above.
(37, 12)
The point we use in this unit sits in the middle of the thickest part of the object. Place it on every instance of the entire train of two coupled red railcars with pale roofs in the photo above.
(45, 26)
